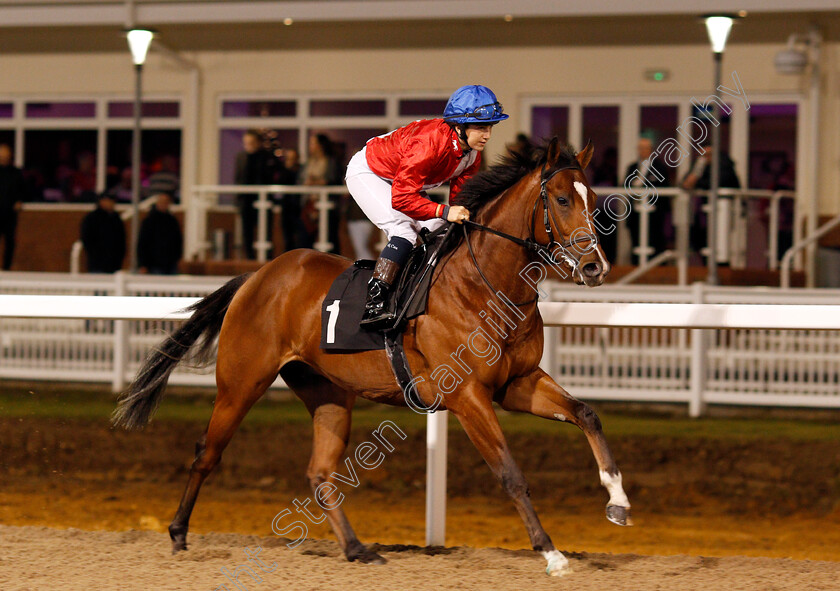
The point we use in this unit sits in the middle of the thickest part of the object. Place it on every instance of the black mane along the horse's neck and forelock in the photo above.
(505, 173)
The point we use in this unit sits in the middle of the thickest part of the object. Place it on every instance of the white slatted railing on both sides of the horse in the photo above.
(740, 365)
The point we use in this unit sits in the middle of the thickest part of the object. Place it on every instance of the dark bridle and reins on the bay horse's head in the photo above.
(546, 251)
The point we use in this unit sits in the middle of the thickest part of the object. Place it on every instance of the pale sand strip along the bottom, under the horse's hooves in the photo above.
(38, 559)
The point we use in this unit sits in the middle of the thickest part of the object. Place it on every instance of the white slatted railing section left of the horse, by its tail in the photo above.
(83, 347)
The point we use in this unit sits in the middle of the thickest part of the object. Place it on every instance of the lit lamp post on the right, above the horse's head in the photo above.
(718, 27)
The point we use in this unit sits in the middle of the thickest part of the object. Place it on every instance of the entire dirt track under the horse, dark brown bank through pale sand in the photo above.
(730, 501)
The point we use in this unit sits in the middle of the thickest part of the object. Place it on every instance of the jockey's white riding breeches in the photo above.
(373, 195)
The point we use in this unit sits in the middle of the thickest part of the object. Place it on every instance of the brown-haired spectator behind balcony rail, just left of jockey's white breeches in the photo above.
(322, 169)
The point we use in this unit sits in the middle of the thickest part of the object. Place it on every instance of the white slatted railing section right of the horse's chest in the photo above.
(744, 364)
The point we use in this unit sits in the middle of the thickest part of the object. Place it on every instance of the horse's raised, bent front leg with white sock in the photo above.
(540, 395)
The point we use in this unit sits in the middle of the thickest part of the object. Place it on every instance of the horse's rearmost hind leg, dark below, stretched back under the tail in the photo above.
(237, 393)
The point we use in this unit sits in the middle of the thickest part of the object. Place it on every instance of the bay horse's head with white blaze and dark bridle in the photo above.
(562, 218)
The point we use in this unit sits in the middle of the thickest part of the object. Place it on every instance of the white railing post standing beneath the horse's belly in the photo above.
(436, 441)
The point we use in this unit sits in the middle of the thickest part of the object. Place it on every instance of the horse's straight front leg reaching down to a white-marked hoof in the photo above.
(474, 410)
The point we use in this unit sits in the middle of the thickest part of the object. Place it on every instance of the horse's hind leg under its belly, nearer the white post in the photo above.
(330, 408)
